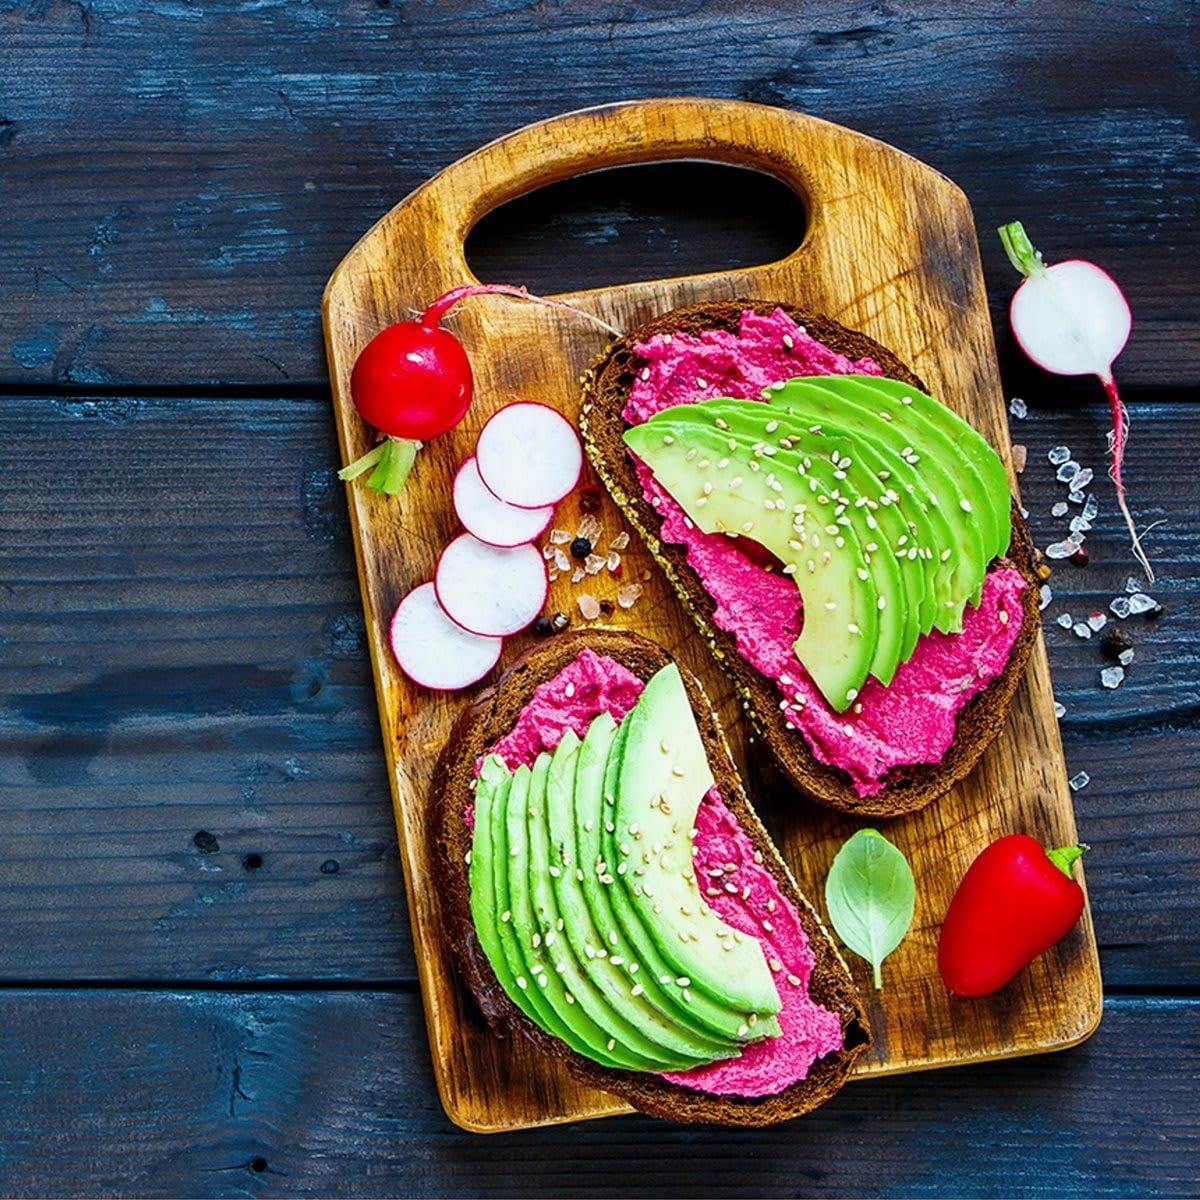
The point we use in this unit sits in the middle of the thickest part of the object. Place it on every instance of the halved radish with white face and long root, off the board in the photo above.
(1072, 319)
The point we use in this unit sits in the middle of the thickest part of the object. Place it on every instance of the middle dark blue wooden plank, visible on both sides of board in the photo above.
(183, 652)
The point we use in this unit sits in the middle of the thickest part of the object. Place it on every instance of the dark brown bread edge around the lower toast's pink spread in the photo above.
(484, 724)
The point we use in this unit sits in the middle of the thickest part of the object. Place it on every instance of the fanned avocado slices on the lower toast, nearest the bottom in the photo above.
(585, 898)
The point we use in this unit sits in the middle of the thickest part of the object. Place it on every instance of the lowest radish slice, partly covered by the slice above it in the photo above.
(433, 650)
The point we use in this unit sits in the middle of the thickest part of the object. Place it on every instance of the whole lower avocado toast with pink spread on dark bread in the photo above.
(613, 897)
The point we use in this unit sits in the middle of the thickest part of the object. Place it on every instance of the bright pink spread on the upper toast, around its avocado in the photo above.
(914, 719)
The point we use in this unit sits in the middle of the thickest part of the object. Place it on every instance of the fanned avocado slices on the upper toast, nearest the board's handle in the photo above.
(904, 503)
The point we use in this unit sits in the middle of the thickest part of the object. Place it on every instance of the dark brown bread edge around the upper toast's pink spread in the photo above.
(607, 387)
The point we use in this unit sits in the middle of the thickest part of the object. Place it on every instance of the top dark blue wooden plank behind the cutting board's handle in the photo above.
(179, 182)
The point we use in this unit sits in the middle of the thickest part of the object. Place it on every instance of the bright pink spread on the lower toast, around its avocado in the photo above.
(593, 685)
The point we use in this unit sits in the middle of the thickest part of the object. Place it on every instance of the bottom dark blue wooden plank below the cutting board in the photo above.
(319, 1094)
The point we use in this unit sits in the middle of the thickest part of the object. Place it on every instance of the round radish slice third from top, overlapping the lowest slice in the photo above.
(491, 590)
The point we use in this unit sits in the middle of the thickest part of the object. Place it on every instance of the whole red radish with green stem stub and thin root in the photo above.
(413, 382)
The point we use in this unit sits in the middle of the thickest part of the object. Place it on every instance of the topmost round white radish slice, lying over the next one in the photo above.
(529, 455)
